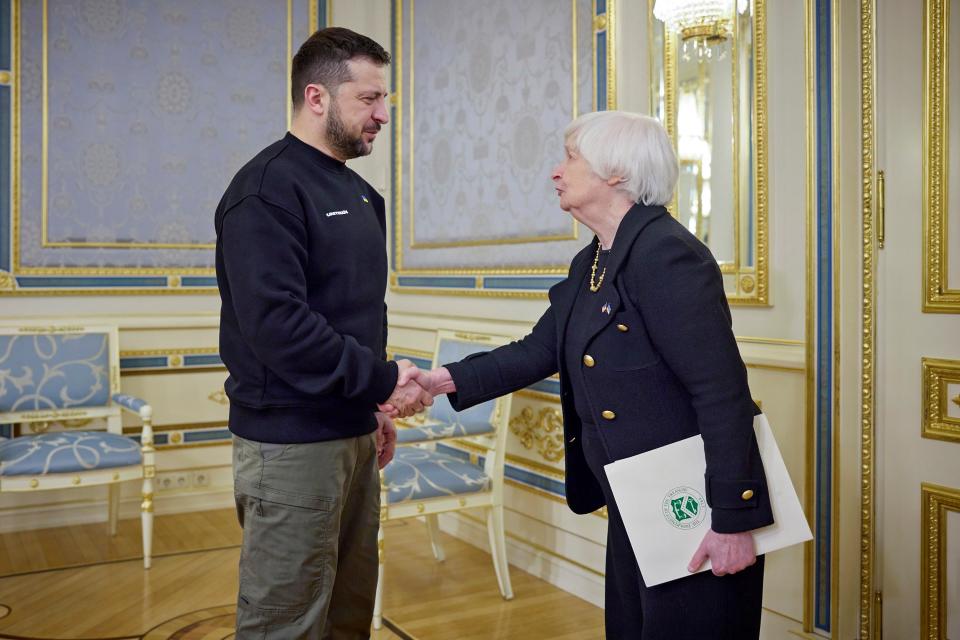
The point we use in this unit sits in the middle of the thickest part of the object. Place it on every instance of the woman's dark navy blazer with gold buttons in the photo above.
(662, 364)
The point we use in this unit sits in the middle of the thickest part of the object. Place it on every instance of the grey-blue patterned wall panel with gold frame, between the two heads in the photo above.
(483, 92)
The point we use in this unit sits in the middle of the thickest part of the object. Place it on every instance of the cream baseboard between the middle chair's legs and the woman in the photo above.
(554, 569)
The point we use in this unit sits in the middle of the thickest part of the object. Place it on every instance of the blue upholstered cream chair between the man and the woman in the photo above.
(448, 461)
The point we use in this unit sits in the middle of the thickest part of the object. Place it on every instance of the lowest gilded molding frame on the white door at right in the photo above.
(936, 502)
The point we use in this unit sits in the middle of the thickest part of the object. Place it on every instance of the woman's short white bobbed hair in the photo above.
(629, 146)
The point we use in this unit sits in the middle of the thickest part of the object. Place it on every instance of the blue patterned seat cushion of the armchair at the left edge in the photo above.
(66, 452)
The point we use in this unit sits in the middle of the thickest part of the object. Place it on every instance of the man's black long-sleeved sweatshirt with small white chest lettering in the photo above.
(302, 272)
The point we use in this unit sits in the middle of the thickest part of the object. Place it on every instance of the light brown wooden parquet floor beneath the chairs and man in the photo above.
(77, 583)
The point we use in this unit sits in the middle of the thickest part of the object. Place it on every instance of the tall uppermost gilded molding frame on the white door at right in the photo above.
(938, 296)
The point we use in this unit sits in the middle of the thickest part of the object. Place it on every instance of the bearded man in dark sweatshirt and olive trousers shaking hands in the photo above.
(302, 270)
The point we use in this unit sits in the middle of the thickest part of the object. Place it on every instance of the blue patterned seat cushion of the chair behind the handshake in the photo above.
(418, 474)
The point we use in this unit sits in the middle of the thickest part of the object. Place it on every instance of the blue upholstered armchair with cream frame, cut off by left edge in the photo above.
(70, 374)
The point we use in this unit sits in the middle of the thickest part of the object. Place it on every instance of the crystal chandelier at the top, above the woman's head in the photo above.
(703, 23)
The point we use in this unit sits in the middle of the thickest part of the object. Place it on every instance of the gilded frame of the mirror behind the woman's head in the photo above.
(746, 284)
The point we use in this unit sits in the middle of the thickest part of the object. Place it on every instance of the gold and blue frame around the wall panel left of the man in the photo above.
(17, 278)
